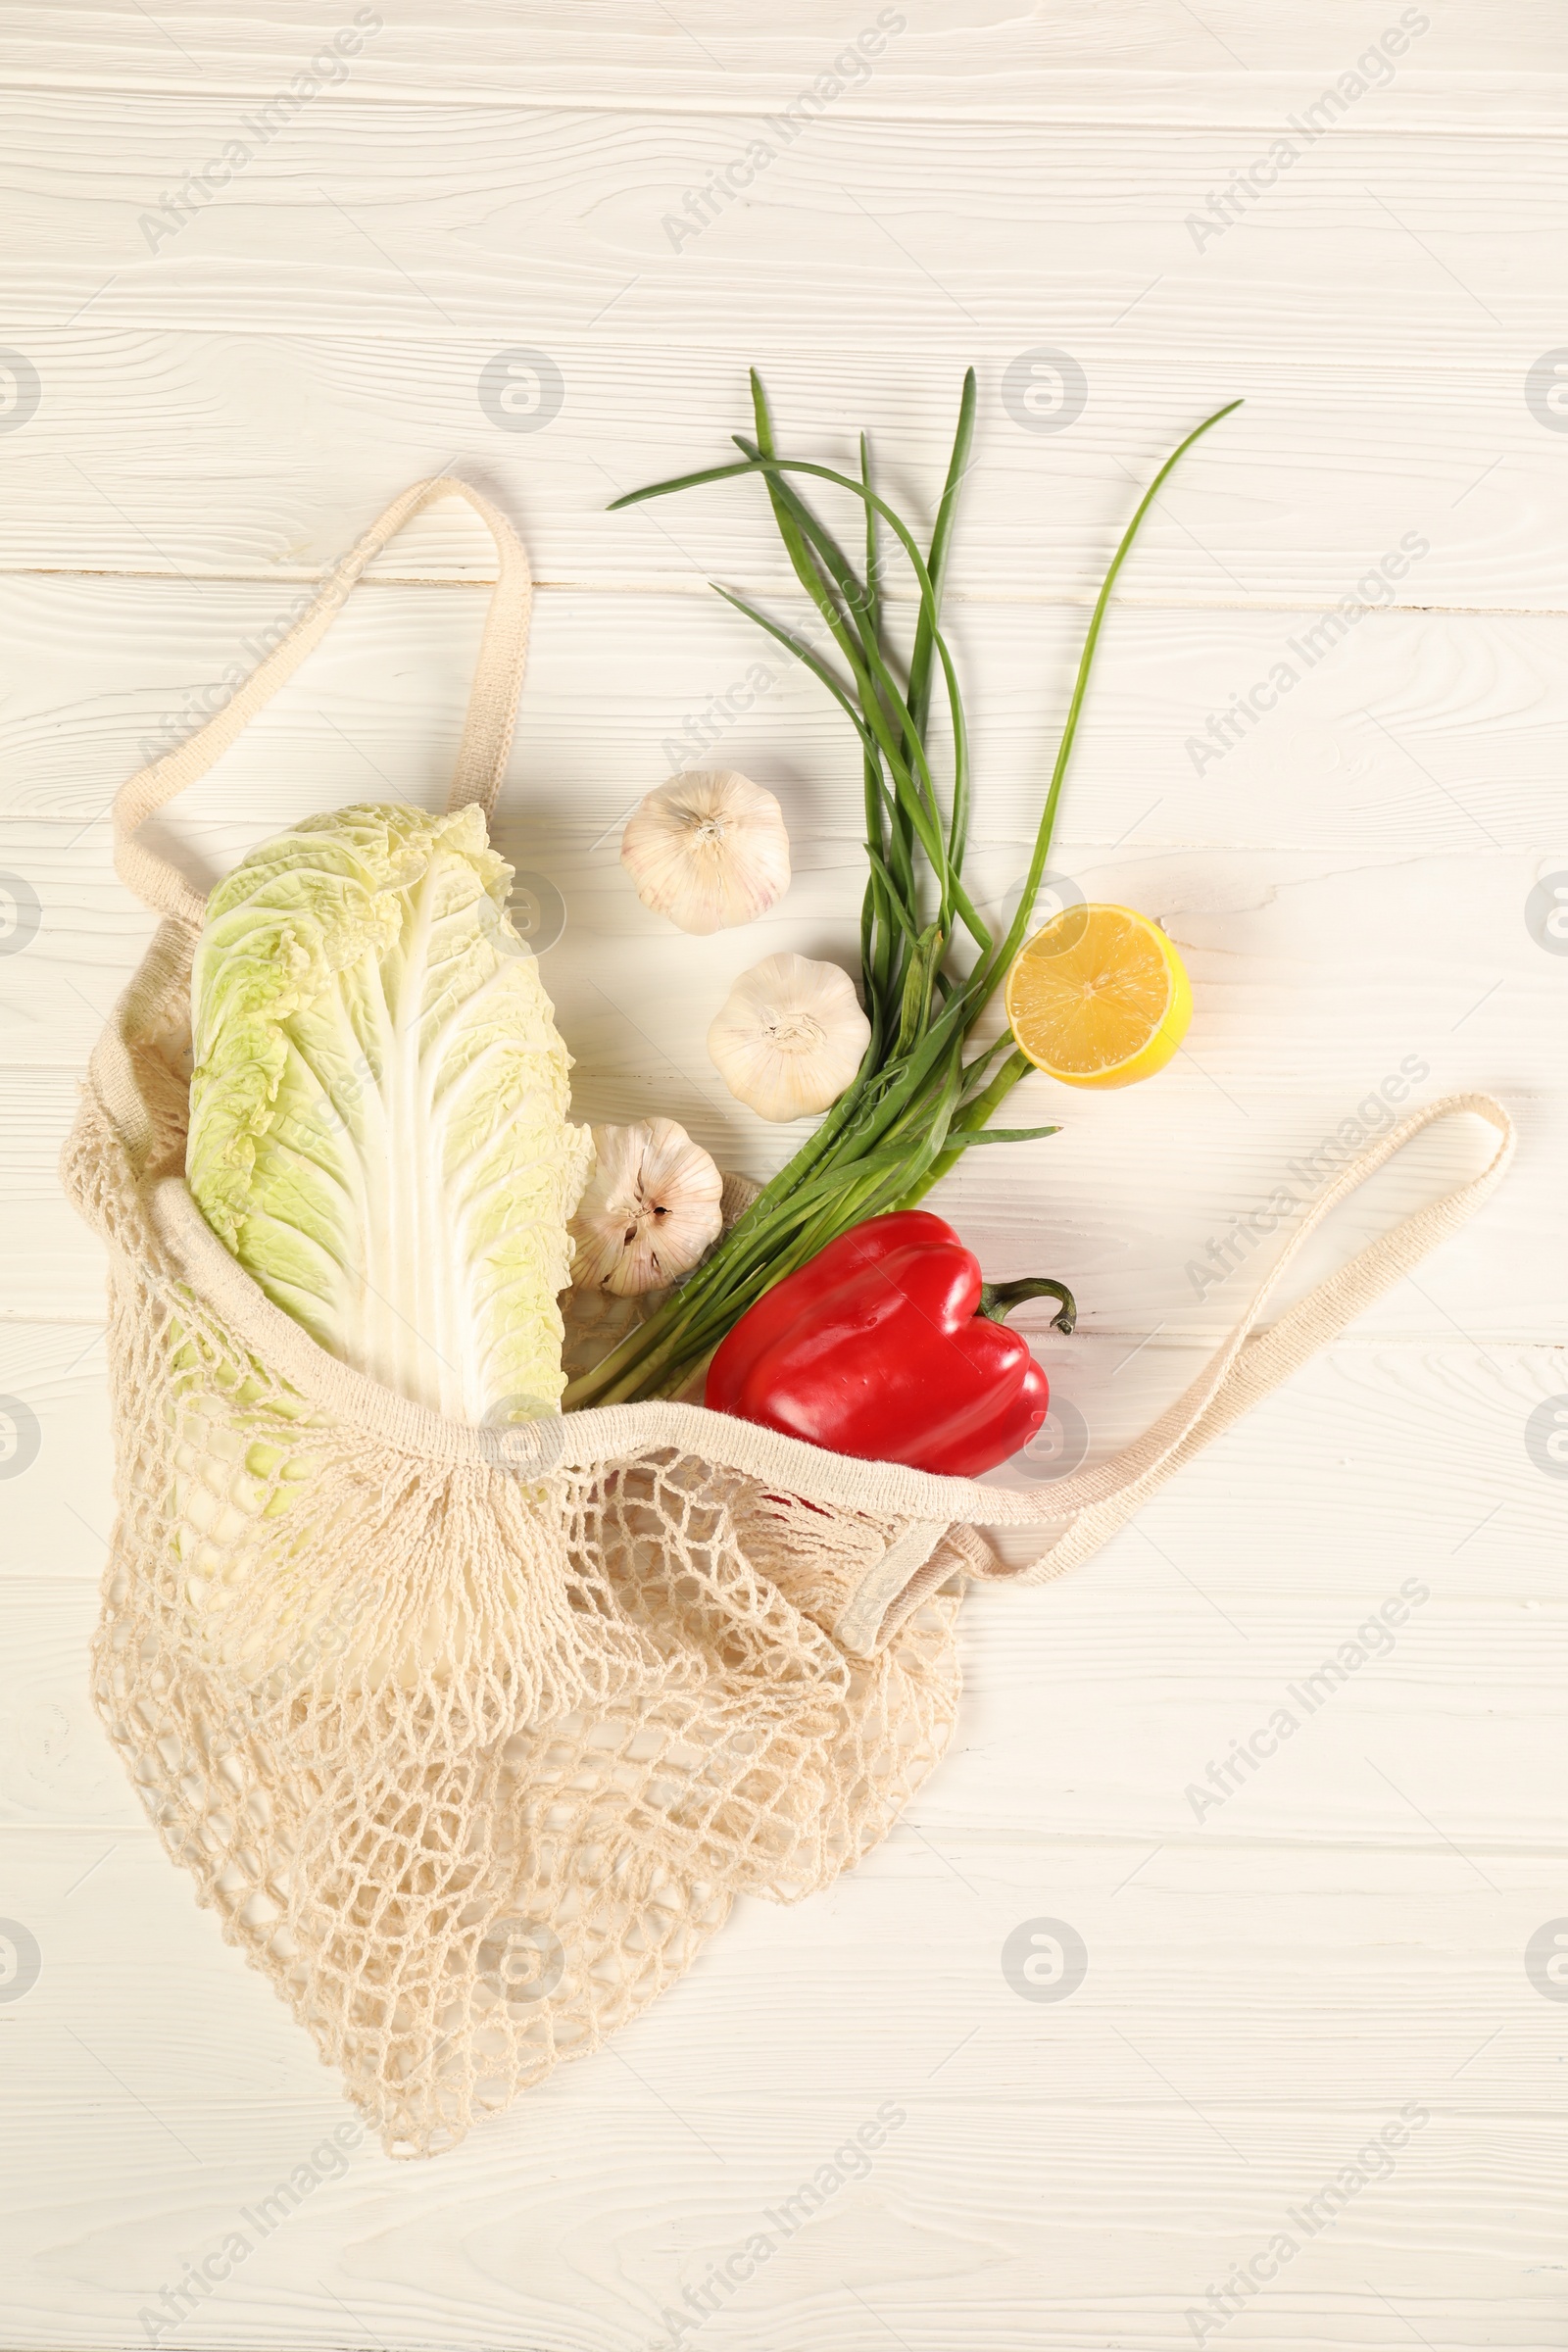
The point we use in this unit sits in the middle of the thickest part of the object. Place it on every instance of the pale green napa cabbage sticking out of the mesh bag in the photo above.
(380, 1107)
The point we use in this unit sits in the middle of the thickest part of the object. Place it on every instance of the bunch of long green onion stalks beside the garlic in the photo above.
(923, 1097)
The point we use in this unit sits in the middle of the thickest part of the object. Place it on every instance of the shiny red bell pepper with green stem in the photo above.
(890, 1347)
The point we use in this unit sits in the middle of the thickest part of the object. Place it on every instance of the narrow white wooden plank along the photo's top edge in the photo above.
(1148, 62)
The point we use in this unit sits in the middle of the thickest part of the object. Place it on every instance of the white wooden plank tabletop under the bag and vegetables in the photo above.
(201, 413)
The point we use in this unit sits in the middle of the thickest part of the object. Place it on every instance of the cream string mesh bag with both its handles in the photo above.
(471, 1735)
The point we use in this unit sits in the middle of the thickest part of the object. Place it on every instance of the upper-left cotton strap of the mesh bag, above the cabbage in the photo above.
(488, 730)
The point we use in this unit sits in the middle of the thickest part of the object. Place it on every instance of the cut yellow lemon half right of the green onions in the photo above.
(1099, 998)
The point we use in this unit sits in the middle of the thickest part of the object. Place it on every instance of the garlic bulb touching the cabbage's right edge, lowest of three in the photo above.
(650, 1212)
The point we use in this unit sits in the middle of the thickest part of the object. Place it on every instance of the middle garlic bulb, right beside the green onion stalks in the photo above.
(791, 1036)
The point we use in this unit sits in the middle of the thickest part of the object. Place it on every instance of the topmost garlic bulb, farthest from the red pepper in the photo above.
(709, 850)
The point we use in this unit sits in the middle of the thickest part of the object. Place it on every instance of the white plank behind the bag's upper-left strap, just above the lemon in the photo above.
(1416, 735)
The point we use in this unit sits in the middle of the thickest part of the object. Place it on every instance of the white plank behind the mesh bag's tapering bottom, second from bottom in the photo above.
(1259, 1925)
